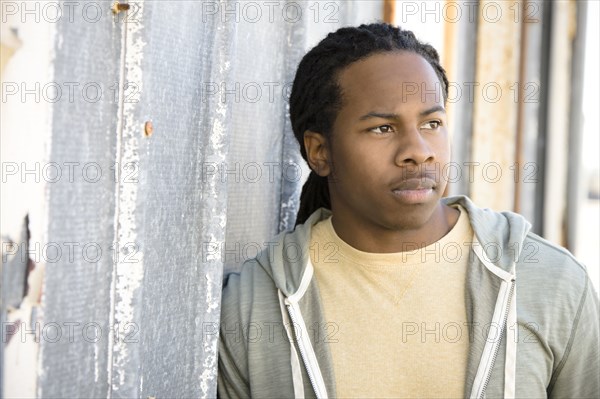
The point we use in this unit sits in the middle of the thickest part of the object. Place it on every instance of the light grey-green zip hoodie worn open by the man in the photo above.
(532, 314)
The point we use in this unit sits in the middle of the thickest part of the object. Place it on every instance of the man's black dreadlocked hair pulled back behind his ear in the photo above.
(316, 97)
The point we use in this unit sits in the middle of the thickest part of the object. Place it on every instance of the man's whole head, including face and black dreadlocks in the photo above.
(367, 108)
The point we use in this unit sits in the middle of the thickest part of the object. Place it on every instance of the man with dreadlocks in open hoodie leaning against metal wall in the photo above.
(384, 289)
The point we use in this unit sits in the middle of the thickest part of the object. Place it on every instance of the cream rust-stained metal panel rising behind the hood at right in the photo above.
(495, 108)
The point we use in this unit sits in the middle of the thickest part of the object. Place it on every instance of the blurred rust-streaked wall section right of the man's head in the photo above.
(522, 107)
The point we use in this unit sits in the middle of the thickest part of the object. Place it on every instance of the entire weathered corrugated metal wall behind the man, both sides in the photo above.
(147, 151)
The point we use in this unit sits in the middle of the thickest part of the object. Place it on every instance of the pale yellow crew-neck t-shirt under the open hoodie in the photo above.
(396, 323)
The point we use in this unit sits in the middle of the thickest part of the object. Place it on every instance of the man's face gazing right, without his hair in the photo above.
(389, 144)
